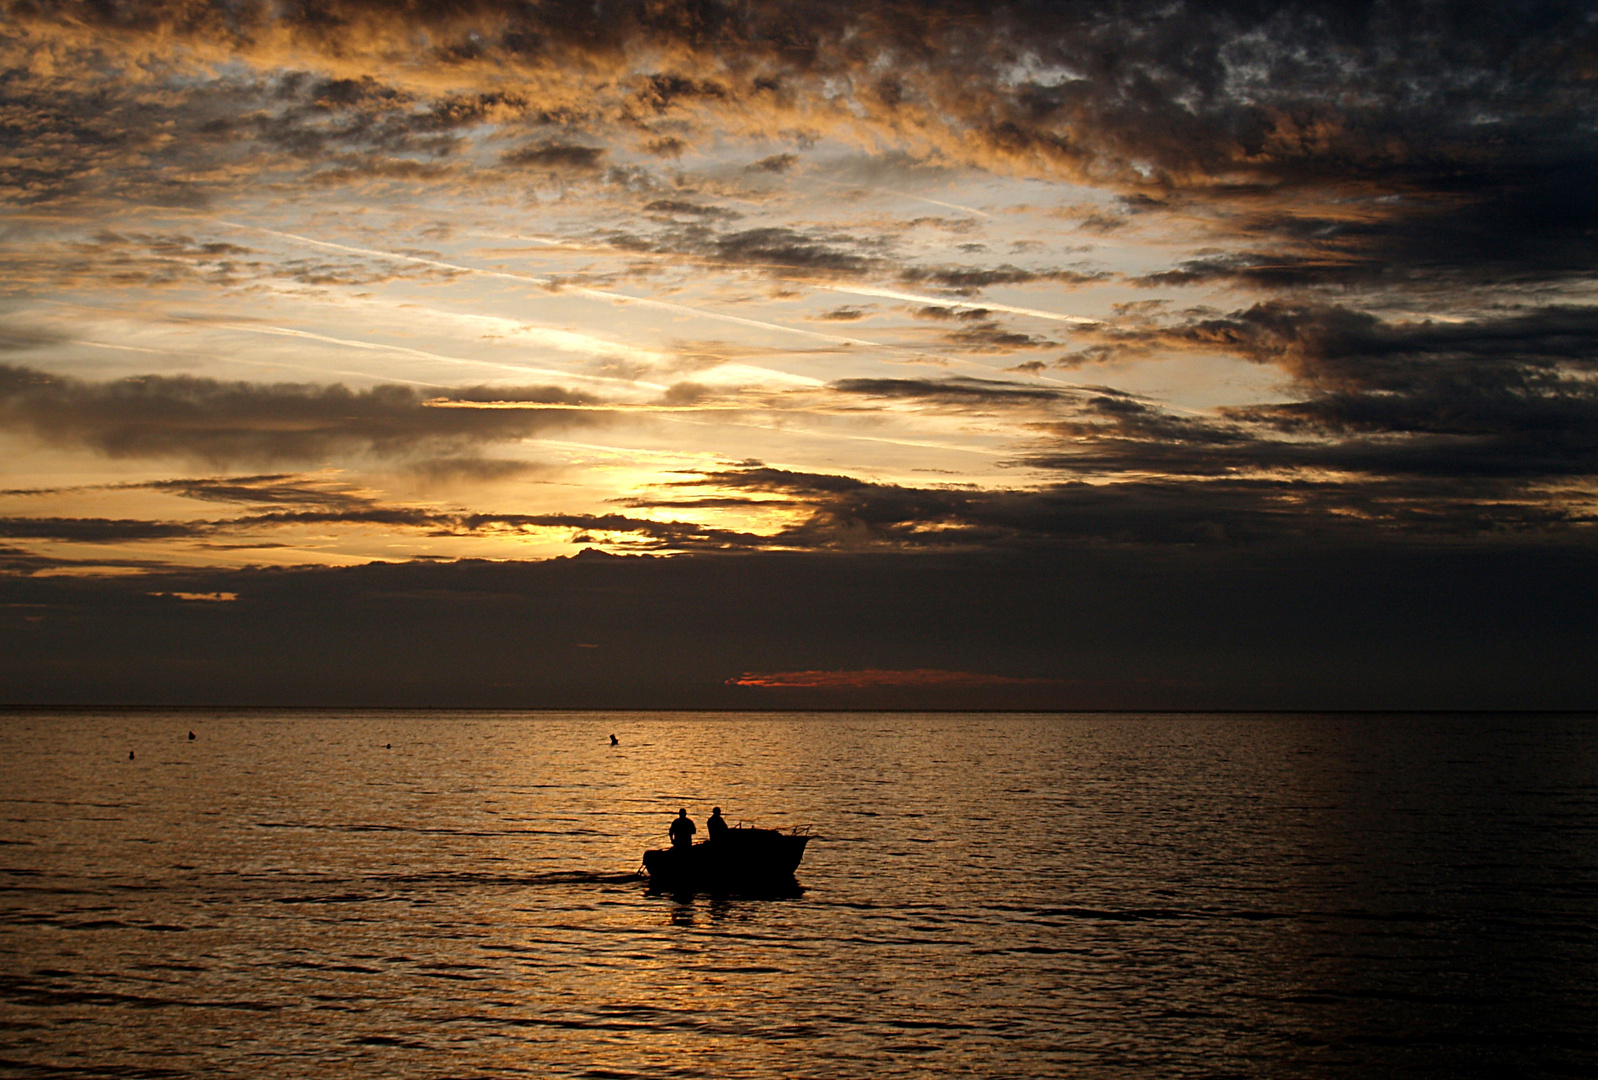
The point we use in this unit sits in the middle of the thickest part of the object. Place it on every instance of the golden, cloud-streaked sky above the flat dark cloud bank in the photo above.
(905, 276)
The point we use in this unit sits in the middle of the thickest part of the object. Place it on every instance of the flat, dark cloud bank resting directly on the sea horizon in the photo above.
(1500, 627)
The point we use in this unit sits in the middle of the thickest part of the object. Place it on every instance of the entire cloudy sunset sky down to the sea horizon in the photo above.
(693, 354)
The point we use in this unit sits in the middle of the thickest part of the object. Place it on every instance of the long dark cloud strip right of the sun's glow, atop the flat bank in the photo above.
(1220, 512)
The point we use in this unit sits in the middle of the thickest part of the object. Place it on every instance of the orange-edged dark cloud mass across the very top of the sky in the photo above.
(1327, 143)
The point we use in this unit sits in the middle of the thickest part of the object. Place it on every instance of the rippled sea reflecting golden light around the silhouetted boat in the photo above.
(992, 897)
